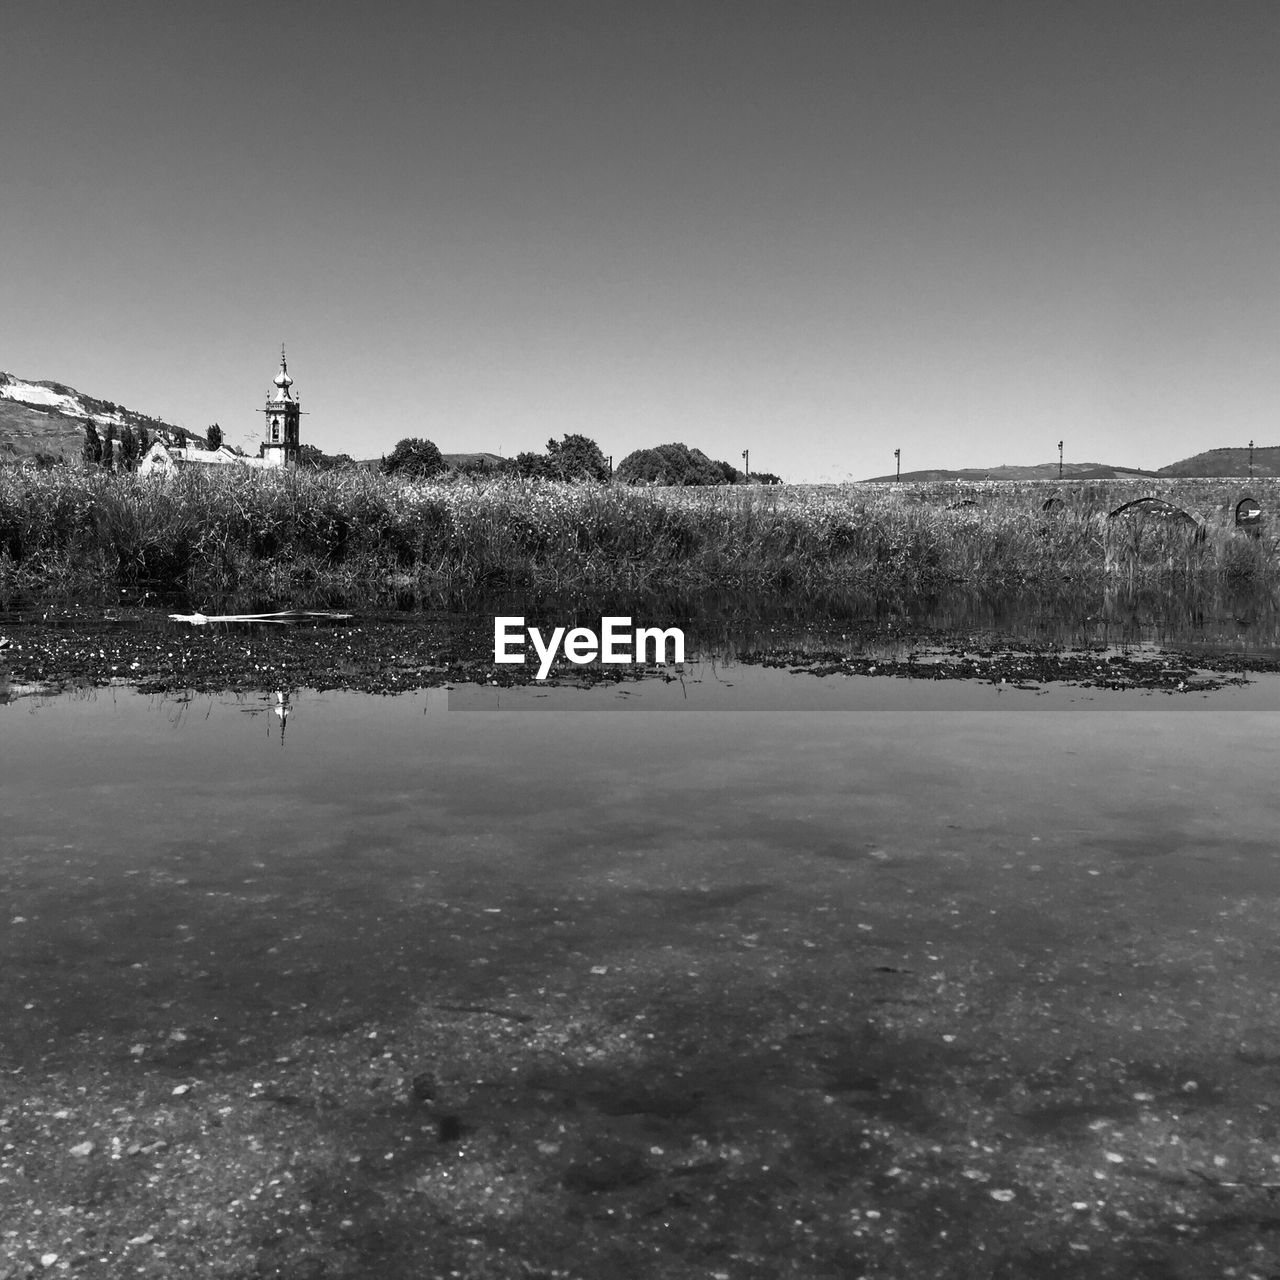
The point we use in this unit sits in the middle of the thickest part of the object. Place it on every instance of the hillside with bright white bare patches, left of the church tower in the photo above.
(47, 420)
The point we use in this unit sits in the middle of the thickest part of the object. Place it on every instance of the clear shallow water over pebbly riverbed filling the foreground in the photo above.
(738, 971)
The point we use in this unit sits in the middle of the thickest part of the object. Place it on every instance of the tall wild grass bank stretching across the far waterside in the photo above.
(67, 529)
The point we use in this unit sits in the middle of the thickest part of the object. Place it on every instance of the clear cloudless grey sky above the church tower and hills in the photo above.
(816, 231)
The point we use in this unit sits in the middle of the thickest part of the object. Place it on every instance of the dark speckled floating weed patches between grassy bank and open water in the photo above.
(400, 653)
